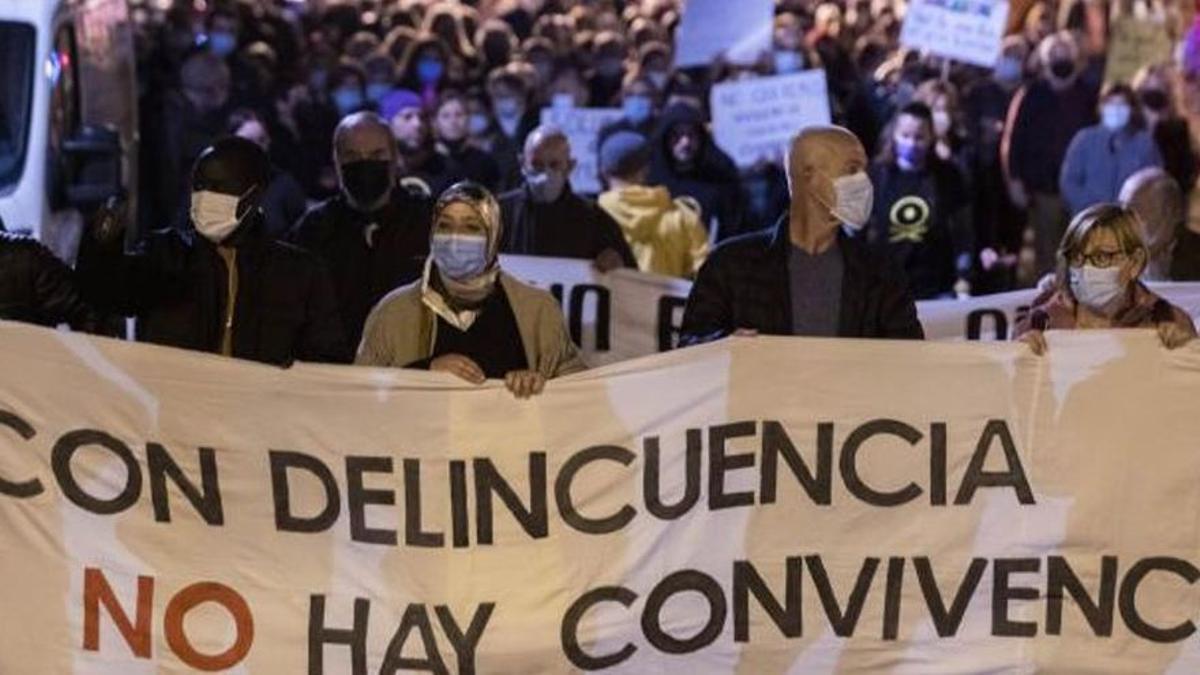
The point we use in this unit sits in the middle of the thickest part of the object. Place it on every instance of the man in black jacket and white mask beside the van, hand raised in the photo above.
(221, 285)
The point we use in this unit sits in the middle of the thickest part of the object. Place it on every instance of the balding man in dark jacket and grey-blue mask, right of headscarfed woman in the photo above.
(547, 218)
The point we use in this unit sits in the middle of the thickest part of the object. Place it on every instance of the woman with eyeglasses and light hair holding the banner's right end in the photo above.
(1097, 286)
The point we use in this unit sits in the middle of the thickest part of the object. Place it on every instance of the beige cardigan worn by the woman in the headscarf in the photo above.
(403, 331)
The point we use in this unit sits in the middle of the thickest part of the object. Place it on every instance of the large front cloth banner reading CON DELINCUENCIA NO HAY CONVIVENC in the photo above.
(759, 505)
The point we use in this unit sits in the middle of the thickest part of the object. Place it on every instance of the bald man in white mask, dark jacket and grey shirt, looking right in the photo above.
(809, 276)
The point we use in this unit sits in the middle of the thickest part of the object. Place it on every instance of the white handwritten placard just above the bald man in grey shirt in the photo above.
(757, 120)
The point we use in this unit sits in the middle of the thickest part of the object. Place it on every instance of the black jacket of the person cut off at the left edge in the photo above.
(38, 288)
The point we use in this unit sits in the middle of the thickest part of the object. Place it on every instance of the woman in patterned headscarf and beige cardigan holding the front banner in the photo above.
(466, 316)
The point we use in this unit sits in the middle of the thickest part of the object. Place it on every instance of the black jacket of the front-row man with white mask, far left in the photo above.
(177, 283)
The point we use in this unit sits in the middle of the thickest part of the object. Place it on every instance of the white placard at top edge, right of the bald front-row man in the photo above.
(964, 31)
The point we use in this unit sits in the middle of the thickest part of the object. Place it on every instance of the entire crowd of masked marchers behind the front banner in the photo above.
(337, 183)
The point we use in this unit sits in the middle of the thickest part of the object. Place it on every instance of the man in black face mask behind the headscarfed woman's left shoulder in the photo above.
(375, 234)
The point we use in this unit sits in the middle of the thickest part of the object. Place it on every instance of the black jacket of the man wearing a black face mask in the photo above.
(363, 273)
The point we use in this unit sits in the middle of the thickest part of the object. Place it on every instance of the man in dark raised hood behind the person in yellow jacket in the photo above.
(689, 164)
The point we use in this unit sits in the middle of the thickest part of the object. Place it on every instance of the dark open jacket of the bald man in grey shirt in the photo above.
(745, 284)
